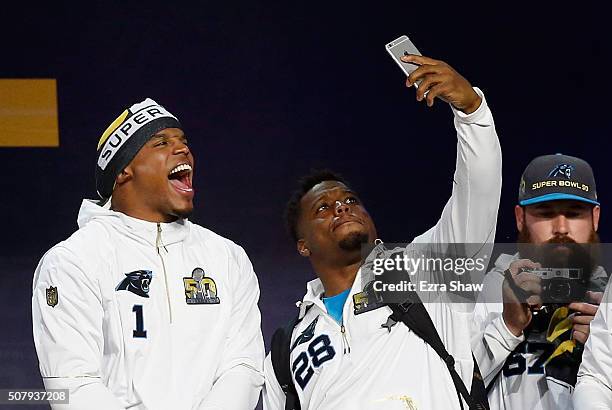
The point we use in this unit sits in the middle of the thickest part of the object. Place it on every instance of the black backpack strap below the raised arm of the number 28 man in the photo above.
(416, 318)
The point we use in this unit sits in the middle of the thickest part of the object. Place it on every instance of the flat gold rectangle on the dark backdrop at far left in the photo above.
(28, 113)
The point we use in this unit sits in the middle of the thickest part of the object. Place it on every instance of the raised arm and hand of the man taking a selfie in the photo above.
(470, 215)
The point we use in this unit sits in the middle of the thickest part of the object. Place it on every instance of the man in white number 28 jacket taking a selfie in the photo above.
(341, 356)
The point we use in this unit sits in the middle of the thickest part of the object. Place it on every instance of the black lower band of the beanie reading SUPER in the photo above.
(105, 179)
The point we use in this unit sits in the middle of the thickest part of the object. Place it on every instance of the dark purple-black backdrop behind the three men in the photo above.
(267, 91)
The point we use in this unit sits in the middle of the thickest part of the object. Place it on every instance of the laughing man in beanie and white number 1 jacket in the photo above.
(140, 308)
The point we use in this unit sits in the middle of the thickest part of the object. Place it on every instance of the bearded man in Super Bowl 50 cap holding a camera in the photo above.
(530, 366)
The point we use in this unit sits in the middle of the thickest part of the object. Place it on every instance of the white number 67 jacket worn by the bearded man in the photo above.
(519, 383)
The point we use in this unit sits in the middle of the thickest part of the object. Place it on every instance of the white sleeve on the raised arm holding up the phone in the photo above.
(470, 215)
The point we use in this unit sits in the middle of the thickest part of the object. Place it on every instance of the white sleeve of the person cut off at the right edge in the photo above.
(594, 386)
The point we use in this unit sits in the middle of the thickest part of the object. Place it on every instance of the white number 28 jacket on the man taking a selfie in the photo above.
(363, 365)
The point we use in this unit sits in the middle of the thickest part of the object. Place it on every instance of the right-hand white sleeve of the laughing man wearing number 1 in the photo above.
(239, 380)
